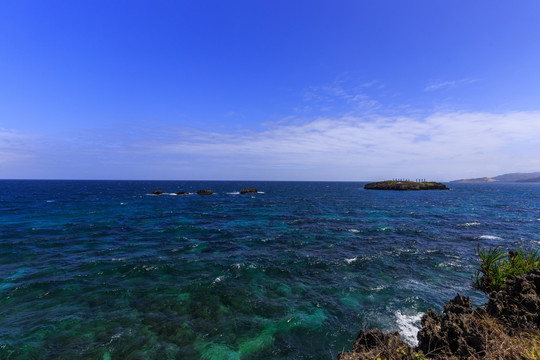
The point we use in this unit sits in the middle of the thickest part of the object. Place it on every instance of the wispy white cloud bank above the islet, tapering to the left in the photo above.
(444, 145)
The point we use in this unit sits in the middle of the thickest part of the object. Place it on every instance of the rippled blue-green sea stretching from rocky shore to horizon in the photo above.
(105, 270)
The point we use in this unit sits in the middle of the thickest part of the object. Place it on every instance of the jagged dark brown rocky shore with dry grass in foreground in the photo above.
(506, 328)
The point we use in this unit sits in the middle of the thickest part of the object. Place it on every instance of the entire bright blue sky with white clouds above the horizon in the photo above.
(269, 90)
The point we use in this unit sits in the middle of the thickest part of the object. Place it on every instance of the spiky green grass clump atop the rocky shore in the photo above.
(497, 266)
